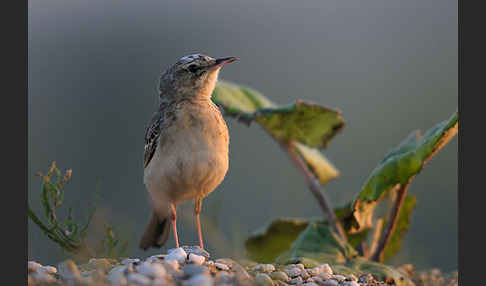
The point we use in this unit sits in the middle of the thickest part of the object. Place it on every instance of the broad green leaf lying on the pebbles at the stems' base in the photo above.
(319, 244)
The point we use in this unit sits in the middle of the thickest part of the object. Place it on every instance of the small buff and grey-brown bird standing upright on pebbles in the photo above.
(186, 145)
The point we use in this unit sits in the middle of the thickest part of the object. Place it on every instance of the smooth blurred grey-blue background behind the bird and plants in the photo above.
(389, 66)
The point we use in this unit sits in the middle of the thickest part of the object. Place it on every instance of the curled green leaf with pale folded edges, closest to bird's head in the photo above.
(308, 126)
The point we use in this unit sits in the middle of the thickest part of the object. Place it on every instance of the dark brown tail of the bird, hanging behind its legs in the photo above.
(156, 233)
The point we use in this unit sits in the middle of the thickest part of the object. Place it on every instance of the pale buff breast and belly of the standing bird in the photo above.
(191, 159)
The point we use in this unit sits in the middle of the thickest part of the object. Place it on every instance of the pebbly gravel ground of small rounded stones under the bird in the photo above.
(190, 266)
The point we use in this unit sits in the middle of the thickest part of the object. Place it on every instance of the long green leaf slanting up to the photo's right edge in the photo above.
(398, 167)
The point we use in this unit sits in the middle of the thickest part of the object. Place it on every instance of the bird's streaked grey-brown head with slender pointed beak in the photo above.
(192, 76)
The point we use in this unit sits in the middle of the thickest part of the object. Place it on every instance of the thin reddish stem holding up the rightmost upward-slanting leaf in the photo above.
(378, 255)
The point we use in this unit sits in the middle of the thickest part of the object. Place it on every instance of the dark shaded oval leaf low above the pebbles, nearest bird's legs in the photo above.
(266, 244)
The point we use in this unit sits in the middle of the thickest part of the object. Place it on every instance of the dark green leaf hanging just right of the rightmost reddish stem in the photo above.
(403, 223)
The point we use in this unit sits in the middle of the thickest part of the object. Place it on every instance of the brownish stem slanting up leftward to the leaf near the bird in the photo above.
(315, 187)
